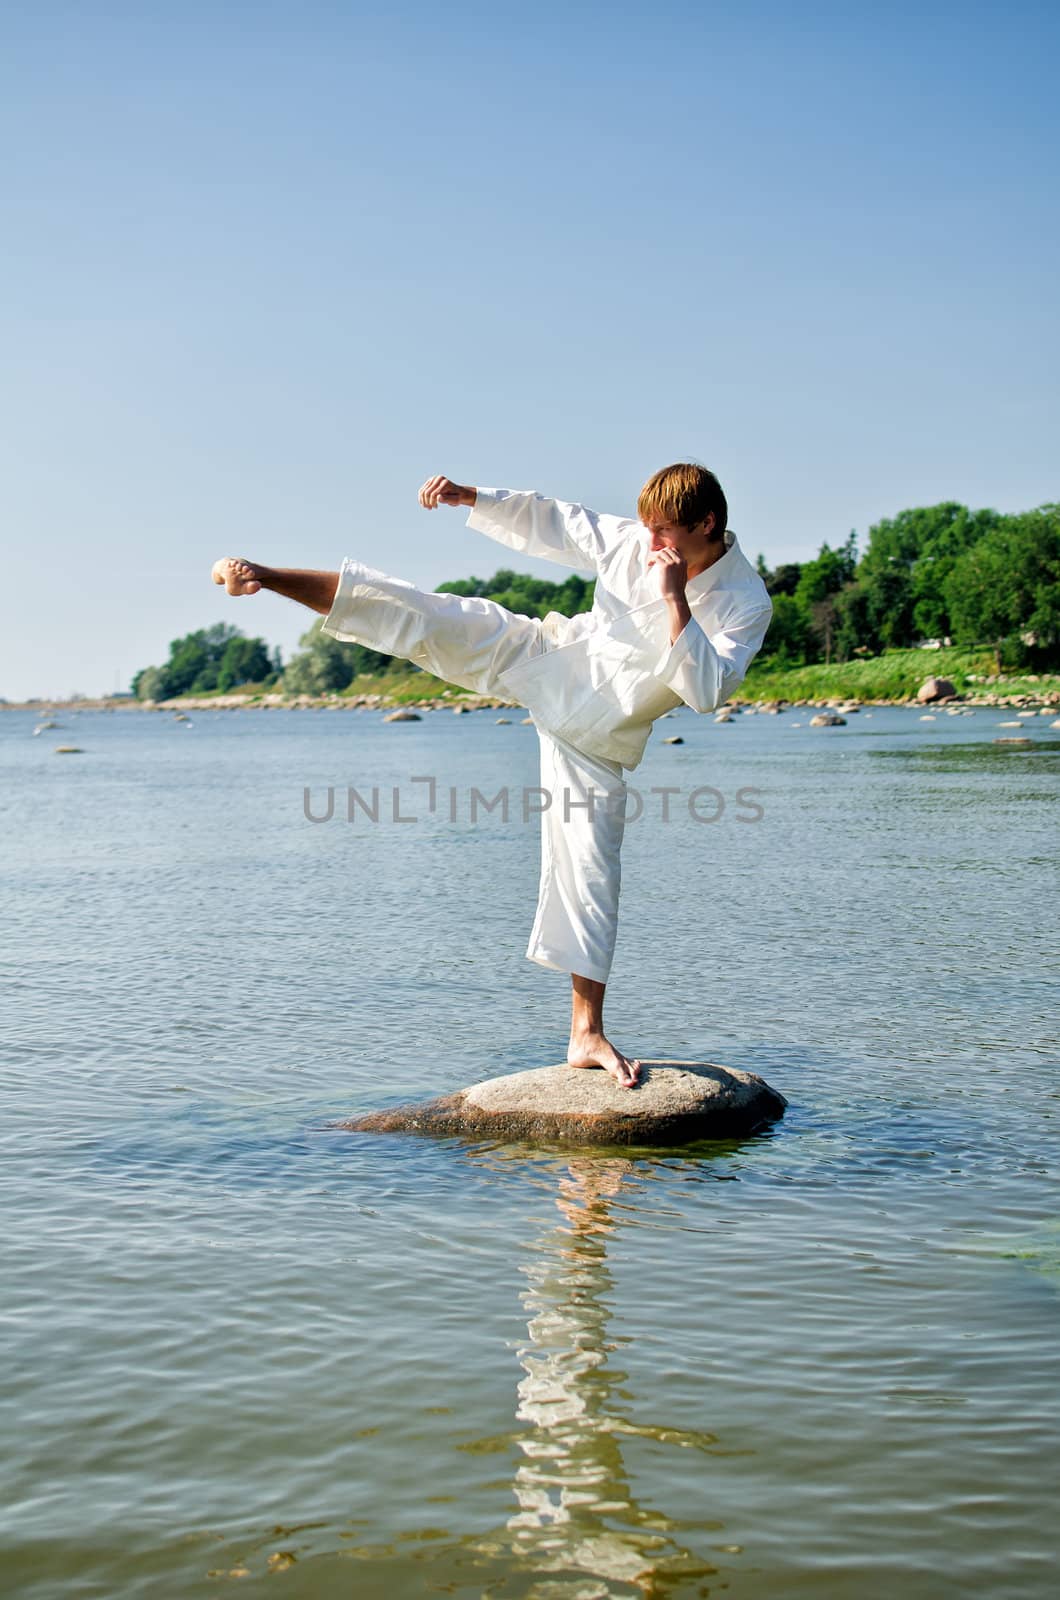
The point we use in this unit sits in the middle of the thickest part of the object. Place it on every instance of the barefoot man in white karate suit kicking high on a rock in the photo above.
(677, 618)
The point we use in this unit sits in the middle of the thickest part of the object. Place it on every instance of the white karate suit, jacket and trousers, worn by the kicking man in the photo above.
(595, 682)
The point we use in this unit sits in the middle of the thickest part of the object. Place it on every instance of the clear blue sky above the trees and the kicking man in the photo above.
(267, 266)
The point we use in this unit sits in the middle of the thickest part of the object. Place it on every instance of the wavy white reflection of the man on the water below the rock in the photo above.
(577, 1510)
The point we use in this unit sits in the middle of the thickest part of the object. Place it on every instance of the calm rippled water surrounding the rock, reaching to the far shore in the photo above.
(243, 1348)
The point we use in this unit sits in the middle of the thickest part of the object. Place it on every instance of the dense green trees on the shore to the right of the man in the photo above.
(941, 572)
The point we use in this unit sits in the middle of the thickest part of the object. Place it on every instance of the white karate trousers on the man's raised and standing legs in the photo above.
(470, 641)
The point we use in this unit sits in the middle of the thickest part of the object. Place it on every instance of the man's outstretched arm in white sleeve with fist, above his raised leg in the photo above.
(532, 524)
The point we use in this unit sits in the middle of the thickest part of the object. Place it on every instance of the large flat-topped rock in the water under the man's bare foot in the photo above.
(675, 1102)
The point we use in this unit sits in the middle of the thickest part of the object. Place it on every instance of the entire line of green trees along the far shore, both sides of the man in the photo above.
(941, 572)
